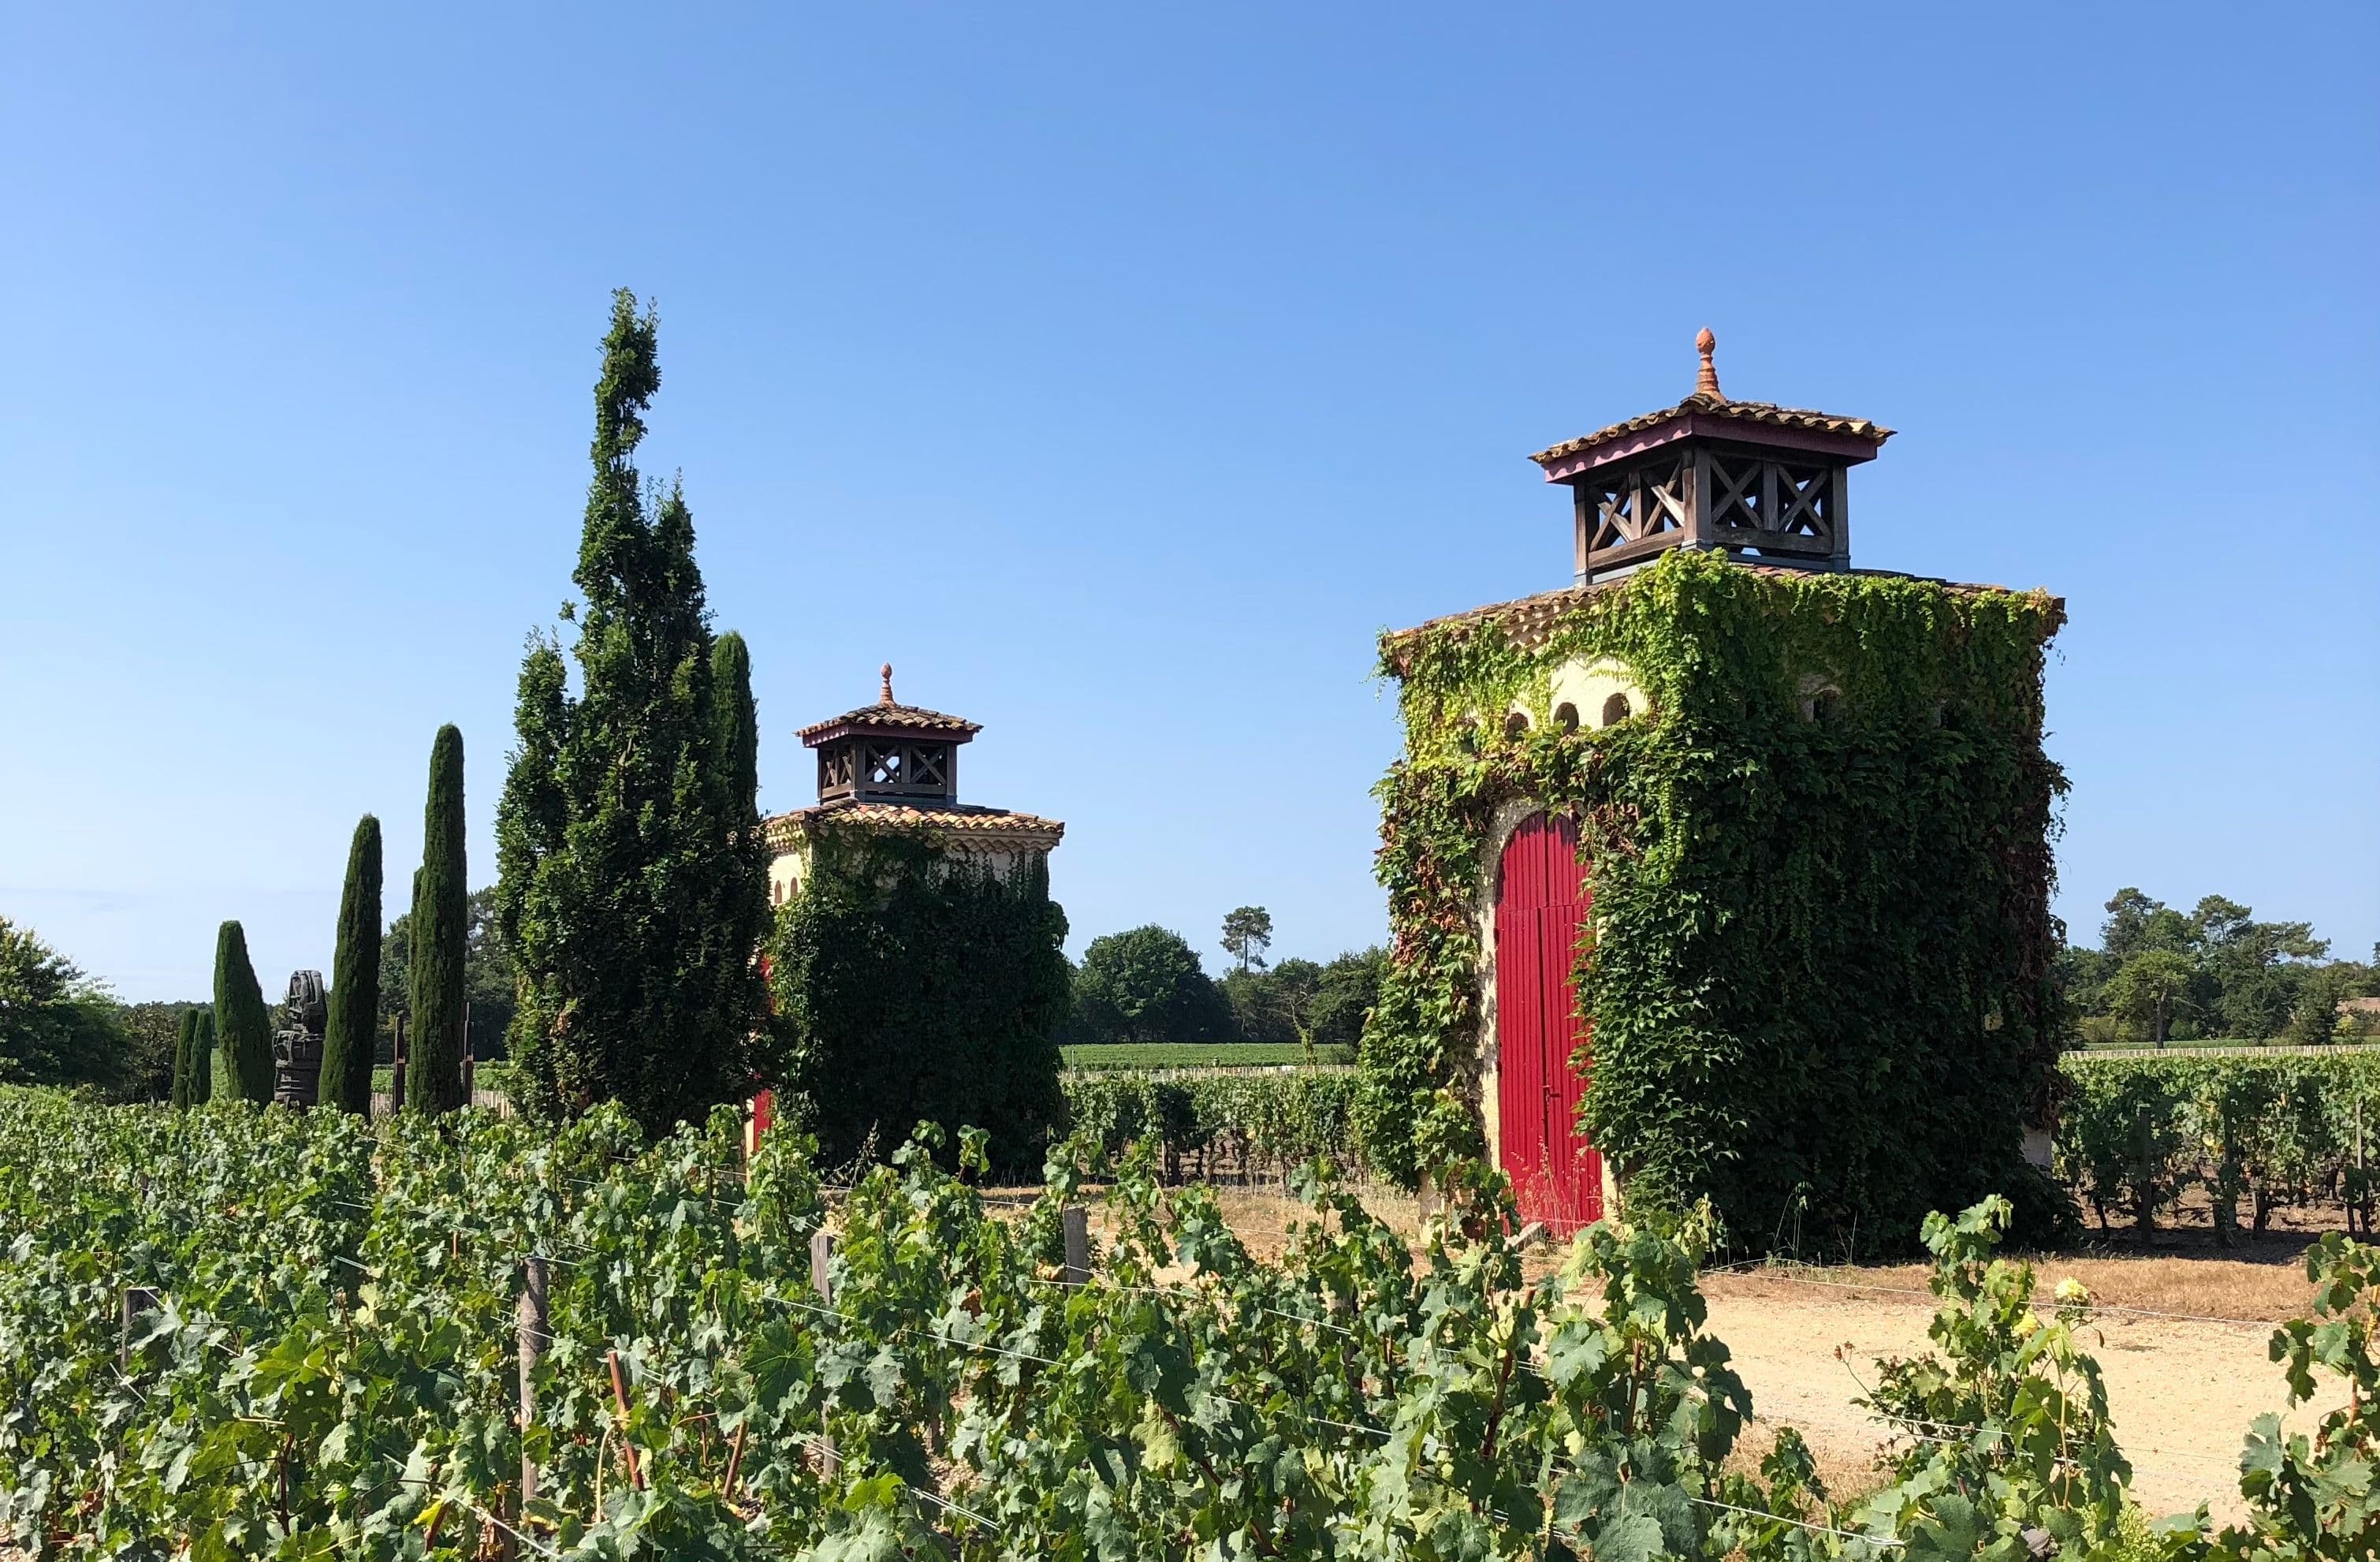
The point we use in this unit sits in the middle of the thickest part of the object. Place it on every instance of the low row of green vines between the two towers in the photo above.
(1232, 1125)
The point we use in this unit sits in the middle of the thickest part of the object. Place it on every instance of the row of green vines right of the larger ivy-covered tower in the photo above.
(2279, 1132)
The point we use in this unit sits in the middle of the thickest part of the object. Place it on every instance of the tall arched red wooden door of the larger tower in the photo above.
(1541, 906)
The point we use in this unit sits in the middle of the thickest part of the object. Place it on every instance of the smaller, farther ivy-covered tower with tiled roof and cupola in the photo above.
(917, 961)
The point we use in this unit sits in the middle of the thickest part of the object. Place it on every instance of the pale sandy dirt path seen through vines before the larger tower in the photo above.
(2181, 1392)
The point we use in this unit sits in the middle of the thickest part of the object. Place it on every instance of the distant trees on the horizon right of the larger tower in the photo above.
(2210, 975)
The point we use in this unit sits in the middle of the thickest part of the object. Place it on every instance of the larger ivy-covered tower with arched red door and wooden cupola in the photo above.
(1724, 873)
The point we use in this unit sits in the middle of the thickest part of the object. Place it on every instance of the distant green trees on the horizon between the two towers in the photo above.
(1148, 985)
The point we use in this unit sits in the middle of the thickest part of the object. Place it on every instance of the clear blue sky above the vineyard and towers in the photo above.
(1120, 377)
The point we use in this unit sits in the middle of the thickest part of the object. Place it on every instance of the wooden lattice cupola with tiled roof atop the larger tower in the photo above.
(1758, 480)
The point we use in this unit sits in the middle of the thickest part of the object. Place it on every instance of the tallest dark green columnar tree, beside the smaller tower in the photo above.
(632, 880)
